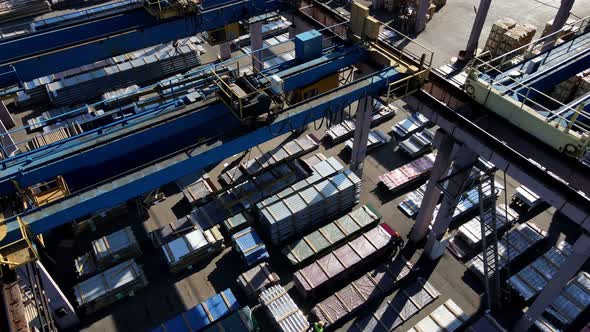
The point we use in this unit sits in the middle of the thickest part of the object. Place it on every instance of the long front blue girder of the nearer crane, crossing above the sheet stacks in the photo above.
(48, 217)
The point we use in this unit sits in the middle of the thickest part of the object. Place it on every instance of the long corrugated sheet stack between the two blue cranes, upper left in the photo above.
(164, 62)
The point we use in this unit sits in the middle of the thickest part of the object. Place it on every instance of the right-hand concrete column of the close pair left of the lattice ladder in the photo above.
(455, 187)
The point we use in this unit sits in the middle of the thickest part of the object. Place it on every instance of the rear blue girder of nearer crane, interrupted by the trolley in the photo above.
(84, 154)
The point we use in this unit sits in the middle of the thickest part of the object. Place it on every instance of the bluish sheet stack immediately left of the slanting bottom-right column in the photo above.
(531, 280)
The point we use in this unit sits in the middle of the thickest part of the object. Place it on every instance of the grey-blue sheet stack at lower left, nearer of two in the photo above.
(110, 286)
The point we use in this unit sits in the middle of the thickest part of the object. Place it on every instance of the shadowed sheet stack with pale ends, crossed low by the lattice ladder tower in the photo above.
(517, 242)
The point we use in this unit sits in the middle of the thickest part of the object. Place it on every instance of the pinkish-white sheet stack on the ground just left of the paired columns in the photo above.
(408, 173)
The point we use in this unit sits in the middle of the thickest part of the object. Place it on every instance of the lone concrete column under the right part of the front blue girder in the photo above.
(361, 135)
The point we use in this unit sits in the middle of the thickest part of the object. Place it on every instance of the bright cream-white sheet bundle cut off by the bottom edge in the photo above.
(449, 317)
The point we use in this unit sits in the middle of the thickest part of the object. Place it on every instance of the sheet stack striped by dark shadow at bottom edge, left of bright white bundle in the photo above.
(405, 304)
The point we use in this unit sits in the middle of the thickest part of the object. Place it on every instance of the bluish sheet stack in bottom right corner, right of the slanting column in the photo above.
(573, 300)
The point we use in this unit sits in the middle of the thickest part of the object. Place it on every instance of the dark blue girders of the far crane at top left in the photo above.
(64, 47)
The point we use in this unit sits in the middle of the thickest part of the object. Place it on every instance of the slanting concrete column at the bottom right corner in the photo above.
(569, 268)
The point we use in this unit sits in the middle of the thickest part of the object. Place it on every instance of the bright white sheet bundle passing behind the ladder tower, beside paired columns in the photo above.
(470, 232)
